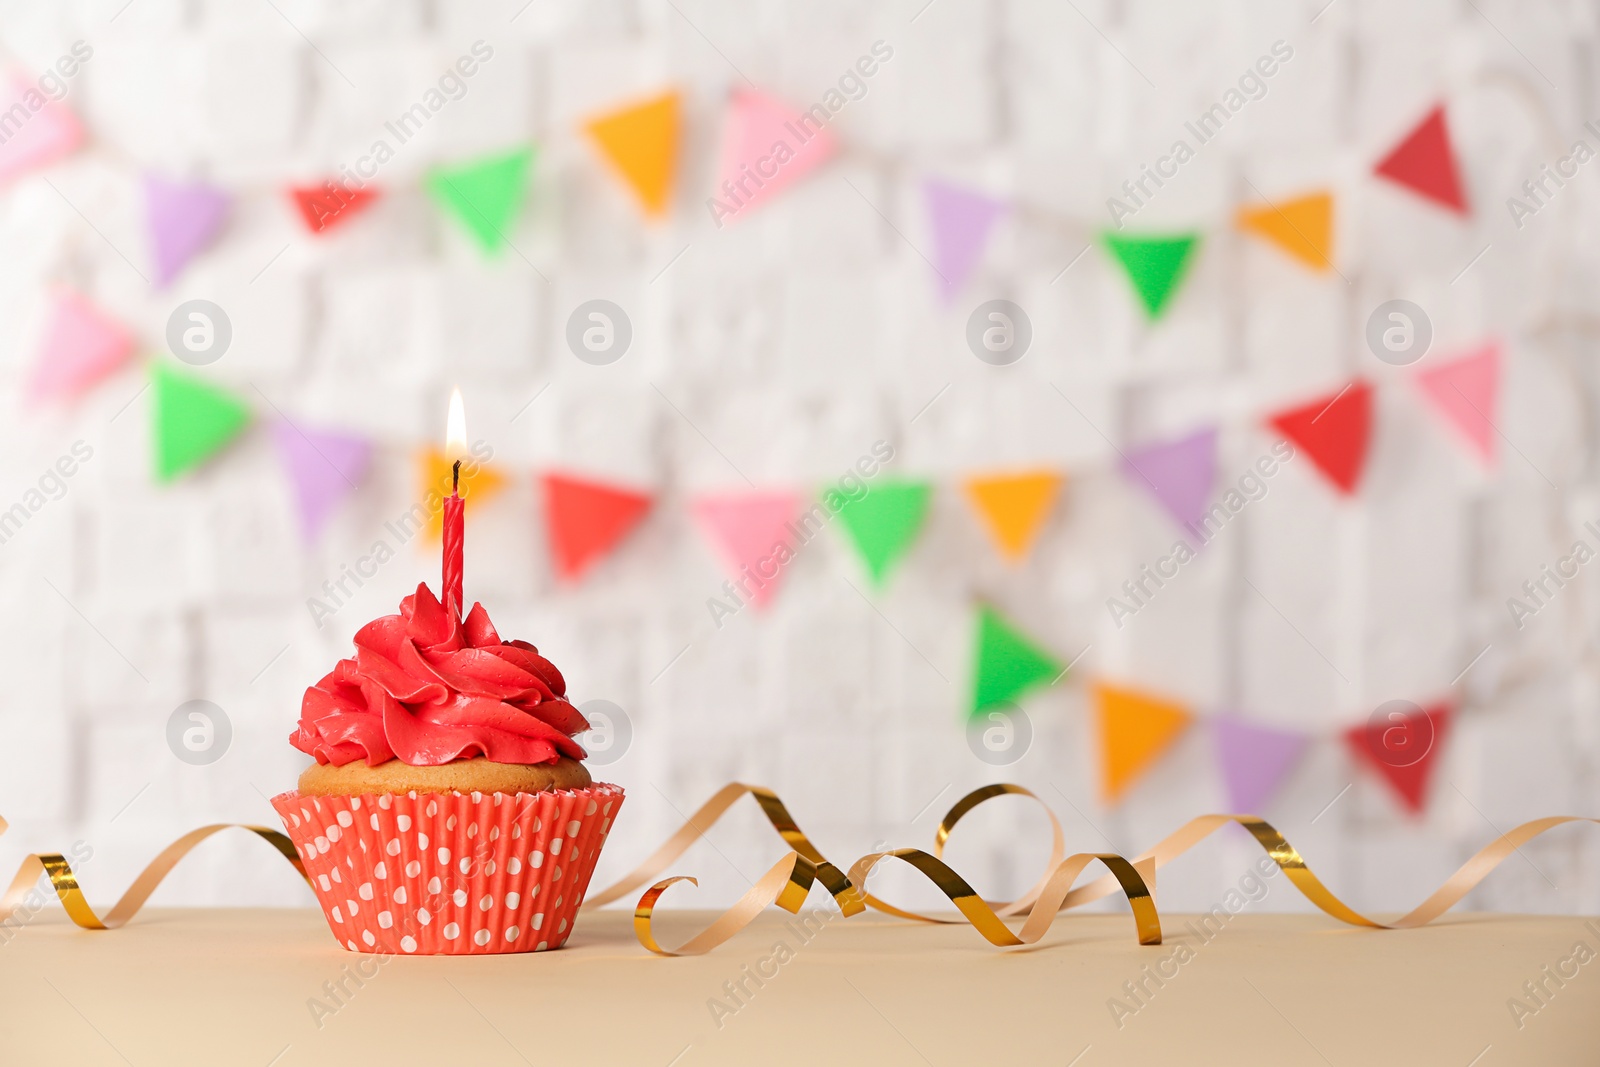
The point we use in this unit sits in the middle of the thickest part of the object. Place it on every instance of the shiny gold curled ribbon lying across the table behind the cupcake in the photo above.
(791, 879)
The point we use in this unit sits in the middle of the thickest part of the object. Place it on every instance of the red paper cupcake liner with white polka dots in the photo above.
(452, 874)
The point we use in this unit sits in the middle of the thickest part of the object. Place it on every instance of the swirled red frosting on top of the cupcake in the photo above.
(428, 689)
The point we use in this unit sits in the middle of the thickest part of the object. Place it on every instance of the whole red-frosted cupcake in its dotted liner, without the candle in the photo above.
(449, 810)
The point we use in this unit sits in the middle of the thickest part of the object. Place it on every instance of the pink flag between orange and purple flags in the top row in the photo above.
(767, 148)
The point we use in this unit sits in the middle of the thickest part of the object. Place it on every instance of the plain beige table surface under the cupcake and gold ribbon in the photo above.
(215, 988)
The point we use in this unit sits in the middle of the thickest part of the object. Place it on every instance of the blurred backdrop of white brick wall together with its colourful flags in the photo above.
(234, 460)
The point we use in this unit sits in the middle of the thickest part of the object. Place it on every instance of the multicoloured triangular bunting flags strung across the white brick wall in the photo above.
(767, 150)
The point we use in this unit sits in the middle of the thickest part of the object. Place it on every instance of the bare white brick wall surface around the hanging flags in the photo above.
(794, 340)
